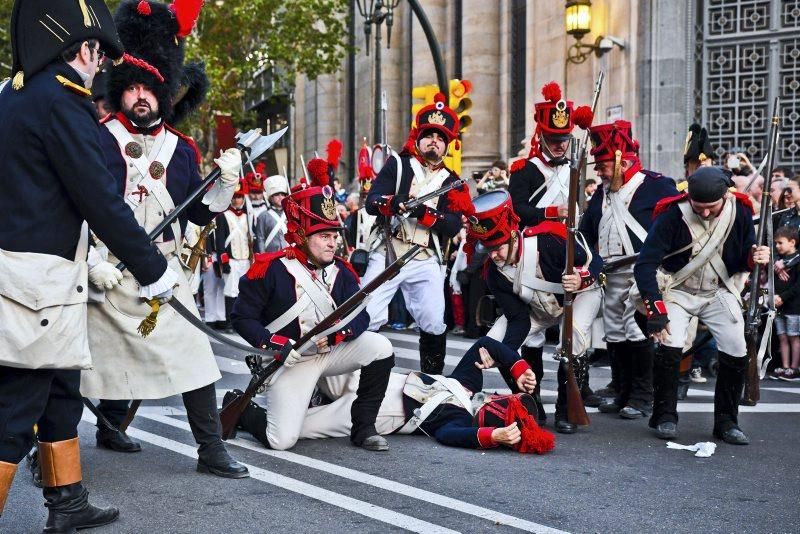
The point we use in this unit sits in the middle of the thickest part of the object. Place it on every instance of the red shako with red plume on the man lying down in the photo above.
(503, 410)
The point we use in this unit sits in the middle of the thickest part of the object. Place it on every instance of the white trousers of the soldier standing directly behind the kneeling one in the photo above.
(422, 284)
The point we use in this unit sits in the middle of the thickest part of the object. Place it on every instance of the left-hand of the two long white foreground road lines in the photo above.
(366, 509)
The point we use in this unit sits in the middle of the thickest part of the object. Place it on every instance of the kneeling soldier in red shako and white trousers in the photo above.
(284, 295)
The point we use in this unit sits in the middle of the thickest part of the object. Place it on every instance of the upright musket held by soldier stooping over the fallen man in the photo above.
(576, 411)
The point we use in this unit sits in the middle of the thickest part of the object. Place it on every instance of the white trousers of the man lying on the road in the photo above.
(333, 420)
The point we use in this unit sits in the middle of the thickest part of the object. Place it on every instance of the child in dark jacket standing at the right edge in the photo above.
(787, 301)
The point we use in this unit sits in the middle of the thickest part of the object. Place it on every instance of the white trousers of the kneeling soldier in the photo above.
(290, 388)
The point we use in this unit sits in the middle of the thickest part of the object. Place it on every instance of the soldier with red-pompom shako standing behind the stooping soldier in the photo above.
(539, 184)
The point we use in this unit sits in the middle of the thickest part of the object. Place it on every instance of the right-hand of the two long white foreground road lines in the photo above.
(378, 482)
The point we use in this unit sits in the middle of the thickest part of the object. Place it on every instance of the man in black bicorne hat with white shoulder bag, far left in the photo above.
(50, 156)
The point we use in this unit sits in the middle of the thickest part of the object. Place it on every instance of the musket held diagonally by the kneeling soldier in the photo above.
(230, 413)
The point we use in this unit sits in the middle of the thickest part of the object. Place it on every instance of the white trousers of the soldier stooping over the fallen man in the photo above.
(584, 310)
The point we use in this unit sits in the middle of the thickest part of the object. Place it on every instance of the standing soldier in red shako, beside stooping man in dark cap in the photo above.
(616, 224)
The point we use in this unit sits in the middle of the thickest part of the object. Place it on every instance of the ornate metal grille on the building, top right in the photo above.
(747, 53)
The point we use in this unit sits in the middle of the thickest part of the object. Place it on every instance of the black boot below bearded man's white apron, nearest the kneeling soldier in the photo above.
(201, 409)
